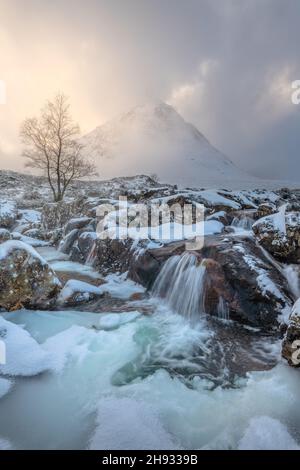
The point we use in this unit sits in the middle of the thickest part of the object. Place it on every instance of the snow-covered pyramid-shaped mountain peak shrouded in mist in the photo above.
(155, 139)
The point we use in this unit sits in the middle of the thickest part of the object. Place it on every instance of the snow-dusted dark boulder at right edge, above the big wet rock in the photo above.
(279, 234)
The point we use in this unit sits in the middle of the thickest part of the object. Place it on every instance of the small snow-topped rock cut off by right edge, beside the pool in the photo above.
(291, 342)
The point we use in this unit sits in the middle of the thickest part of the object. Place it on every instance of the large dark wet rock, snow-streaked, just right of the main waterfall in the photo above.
(243, 282)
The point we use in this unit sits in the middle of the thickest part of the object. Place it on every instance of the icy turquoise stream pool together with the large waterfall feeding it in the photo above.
(161, 381)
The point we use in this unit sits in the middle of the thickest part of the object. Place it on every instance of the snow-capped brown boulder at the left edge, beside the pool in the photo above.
(26, 280)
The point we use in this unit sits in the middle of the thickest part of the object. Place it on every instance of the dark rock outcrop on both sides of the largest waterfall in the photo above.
(239, 279)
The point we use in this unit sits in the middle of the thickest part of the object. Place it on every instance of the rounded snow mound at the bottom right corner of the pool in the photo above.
(265, 433)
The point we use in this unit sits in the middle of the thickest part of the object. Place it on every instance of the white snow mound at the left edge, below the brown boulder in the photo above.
(24, 356)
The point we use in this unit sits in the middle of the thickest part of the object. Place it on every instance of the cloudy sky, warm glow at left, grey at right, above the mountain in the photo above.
(225, 65)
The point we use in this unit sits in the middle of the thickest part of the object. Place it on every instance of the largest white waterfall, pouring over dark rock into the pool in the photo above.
(181, 283)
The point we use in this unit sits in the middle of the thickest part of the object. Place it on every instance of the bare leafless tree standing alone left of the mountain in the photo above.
(52, 146)
